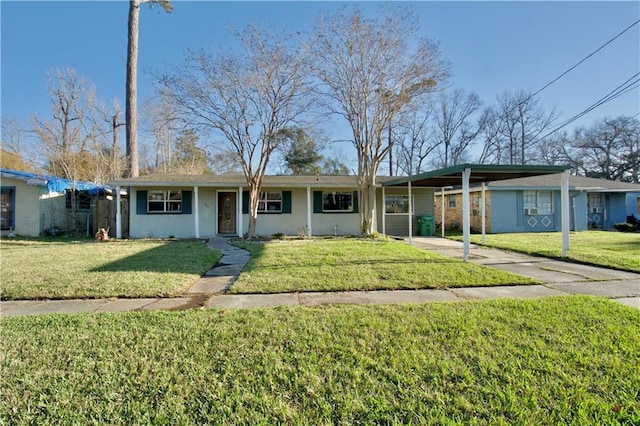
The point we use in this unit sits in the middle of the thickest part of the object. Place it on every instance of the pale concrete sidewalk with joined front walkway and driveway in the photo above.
(558, 278)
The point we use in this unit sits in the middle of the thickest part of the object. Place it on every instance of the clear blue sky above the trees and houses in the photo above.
(492, 46)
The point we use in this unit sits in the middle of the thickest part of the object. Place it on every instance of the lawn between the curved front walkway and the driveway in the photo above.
(344, 264)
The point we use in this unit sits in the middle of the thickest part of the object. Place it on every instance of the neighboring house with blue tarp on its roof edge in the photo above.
(34, 205)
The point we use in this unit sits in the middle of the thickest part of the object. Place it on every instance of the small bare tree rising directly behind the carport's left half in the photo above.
(454, 130)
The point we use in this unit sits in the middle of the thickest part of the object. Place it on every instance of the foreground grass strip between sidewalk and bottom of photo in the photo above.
(568, 360)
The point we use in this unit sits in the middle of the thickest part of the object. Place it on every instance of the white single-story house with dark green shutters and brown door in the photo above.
(202, 206)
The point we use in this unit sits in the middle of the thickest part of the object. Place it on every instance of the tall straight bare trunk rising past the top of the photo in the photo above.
(132, 81)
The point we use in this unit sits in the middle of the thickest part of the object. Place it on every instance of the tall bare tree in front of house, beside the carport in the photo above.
(370, 72)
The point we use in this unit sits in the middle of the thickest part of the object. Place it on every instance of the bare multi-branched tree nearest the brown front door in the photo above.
(248, 99)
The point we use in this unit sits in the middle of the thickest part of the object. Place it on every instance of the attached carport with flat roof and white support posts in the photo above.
(468, 174)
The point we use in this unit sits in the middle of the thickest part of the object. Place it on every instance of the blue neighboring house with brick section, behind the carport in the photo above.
(532, 204)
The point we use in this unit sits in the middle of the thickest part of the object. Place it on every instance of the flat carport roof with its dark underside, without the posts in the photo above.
(451, 176)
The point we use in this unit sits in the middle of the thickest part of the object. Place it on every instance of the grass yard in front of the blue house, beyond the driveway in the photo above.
(619, 250)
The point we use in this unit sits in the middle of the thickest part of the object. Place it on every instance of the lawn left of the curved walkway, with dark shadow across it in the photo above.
(63, 269)
